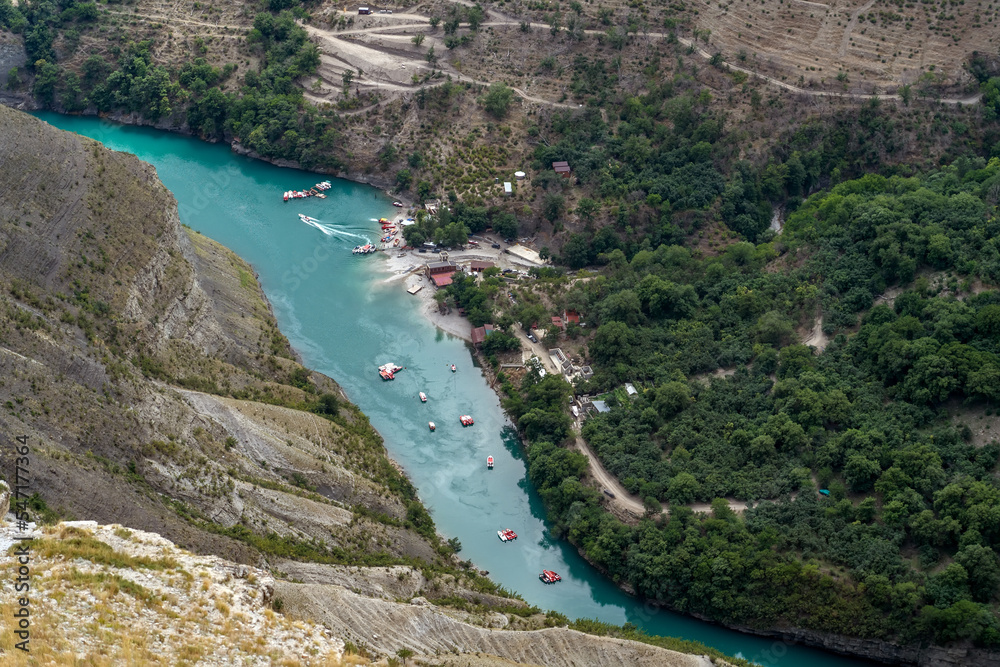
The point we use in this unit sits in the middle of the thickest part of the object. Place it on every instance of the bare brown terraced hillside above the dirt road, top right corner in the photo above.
(856, 45)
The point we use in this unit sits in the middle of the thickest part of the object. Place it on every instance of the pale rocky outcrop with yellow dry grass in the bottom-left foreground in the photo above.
(156, 604)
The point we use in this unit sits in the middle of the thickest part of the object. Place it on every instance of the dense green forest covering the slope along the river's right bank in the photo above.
(903, 543)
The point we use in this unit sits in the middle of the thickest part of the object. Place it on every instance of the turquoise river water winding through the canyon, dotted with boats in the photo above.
(346, 317)
